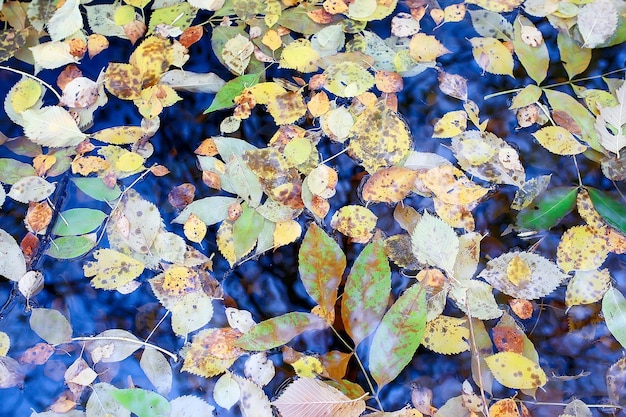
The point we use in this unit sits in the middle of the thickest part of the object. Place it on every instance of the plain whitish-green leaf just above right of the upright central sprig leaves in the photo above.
(435, 243)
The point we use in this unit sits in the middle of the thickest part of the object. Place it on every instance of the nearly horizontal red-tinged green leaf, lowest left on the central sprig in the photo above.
(279, 330)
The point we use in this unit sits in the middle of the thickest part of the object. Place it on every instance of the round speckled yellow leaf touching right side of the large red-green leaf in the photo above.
(446, 335)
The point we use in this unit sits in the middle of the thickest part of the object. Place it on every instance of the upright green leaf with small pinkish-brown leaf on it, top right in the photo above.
(534, 59)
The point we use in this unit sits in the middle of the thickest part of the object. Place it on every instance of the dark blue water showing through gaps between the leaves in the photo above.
(269, 286)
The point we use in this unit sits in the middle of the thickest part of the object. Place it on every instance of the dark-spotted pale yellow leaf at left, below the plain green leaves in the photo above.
(112, 269)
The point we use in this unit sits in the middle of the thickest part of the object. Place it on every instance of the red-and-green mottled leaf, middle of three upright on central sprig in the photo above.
(366, 292)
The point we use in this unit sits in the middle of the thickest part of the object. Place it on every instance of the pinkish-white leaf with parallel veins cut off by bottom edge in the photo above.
(308, 397)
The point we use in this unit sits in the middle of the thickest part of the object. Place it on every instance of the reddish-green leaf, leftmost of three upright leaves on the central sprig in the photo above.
(321, 265)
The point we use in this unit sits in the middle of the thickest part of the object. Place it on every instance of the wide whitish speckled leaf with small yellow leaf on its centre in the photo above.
(542, 277)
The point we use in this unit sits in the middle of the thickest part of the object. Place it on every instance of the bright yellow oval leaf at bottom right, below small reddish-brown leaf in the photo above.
(516, 371)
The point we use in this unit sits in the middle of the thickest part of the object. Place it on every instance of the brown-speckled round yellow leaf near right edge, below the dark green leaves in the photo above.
(582, 248)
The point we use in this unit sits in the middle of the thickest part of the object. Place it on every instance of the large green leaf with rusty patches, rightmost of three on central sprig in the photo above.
(398, 336)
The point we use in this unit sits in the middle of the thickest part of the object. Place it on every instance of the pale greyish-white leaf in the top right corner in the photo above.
(597, 22)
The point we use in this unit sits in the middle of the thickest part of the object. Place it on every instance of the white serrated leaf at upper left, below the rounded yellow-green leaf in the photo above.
(52, 126)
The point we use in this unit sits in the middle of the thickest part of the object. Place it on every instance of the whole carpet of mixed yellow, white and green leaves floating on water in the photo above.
(338, 81)
